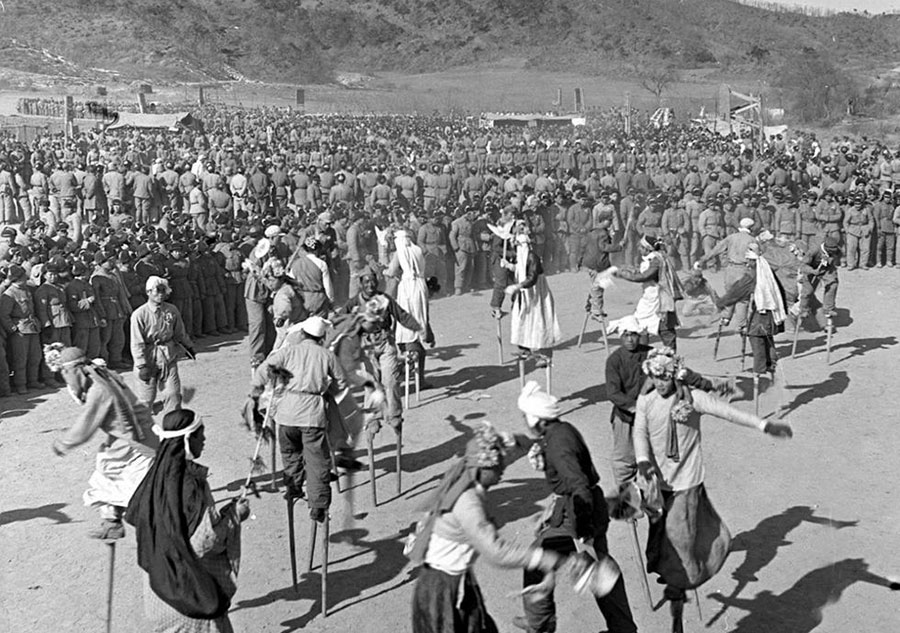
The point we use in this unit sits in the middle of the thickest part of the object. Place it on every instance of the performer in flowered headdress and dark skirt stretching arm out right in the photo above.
(688, 542)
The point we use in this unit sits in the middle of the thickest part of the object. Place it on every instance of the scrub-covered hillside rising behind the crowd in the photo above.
(297, 41)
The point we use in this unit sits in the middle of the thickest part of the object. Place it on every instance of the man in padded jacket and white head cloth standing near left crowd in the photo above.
(158, 341)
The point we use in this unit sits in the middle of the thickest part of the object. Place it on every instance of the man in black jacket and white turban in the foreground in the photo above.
(577, 518)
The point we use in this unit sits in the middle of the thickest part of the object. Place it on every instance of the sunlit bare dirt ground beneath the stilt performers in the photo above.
(814, 519)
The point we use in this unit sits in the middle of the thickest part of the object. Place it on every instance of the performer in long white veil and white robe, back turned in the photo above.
(408, 265)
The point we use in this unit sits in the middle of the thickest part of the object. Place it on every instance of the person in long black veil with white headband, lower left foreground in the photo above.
(190, 550)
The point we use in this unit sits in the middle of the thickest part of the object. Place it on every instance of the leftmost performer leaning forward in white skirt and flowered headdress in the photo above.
(129, 445)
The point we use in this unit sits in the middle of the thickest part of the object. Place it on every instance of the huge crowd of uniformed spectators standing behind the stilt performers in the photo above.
(88, 221)
